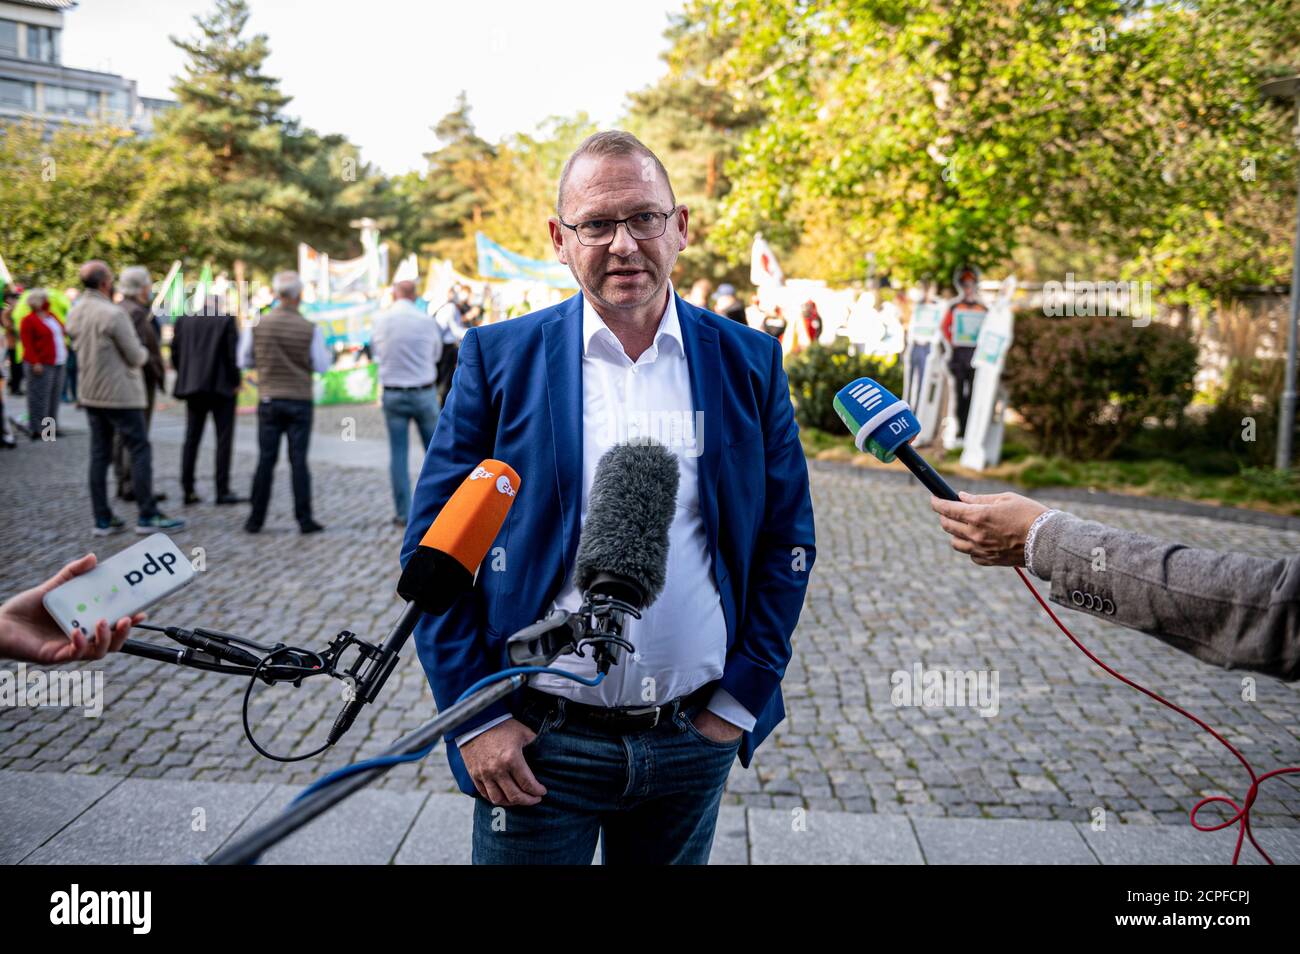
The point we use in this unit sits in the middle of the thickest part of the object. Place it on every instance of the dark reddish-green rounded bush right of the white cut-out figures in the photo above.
(1085, 385)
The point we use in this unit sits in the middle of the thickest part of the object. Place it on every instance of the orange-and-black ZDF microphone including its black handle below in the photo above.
(440, 571)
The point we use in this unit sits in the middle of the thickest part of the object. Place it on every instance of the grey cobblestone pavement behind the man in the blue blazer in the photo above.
(887, 595)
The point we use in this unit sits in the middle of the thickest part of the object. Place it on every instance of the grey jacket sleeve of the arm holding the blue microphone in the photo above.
(1229, 610)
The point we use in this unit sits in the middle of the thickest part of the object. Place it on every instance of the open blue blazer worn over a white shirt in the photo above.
(517, 397)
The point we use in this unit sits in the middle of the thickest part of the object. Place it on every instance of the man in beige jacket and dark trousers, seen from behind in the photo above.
(112, 392)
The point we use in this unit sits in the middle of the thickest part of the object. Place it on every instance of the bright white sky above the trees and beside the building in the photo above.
(383, 72)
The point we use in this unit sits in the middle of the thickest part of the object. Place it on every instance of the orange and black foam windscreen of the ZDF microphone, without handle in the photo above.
(444, 566)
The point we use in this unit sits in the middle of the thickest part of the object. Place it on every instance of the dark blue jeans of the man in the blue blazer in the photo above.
(652, 796)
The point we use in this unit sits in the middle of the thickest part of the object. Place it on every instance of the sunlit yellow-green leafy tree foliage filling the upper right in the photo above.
(935, 133)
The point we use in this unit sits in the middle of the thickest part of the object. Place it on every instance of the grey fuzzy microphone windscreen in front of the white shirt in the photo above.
(623, 552)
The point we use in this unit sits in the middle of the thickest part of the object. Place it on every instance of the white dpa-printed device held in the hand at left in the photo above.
(122, 586)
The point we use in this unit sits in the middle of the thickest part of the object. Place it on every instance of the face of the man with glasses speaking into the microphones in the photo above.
(626, 274)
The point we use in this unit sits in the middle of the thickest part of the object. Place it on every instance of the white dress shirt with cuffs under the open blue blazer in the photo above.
(682, 638)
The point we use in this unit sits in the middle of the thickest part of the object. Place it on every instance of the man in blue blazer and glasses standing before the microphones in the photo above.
(642, 758)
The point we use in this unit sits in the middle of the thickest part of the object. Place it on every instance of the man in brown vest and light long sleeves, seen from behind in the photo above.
(285, 349)
